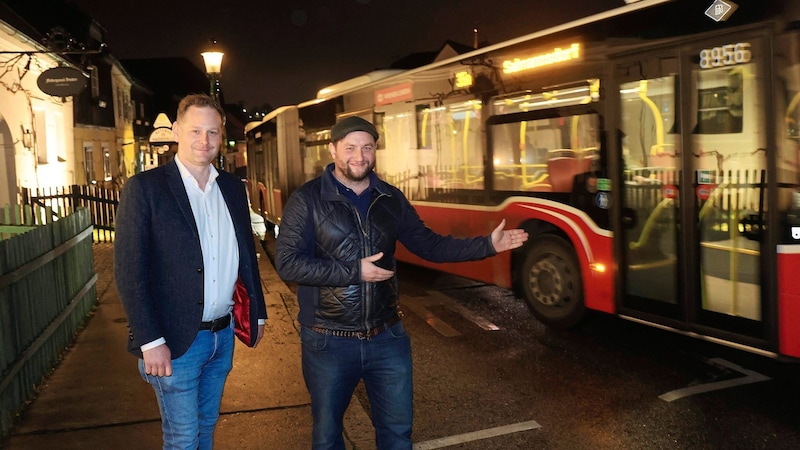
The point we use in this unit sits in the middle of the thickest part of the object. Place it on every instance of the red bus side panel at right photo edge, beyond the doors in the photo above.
(789, 300)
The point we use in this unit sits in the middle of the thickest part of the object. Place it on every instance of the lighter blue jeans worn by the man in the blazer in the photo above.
(189, 399)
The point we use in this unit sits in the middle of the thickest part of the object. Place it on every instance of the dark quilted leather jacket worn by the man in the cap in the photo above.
(323, 238)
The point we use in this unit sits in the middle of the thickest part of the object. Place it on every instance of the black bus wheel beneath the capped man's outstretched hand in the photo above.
(551, 282)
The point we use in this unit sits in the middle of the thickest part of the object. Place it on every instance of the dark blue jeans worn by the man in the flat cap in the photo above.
(332, 368)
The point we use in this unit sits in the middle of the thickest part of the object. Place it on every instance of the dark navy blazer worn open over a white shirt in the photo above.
(158, 262)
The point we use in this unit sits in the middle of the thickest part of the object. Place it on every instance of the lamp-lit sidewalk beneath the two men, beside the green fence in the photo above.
(95, 399)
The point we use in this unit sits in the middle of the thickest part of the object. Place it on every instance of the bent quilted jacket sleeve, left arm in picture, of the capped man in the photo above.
(295, 259)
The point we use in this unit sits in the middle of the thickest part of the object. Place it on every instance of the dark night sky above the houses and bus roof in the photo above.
(283, 52)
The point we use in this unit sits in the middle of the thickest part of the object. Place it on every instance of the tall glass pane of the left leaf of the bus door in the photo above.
(651, 161)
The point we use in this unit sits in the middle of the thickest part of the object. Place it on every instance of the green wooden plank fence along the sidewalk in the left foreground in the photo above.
(47, 289)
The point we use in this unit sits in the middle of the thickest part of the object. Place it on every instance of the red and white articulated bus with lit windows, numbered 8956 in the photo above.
(651, 151)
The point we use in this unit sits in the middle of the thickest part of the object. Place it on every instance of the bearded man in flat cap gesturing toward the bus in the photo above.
(337, 240)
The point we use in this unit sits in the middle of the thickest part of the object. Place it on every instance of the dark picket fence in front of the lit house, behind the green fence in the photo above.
(61, 201)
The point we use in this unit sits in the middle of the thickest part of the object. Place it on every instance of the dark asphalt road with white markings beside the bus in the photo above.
(489, 376)
